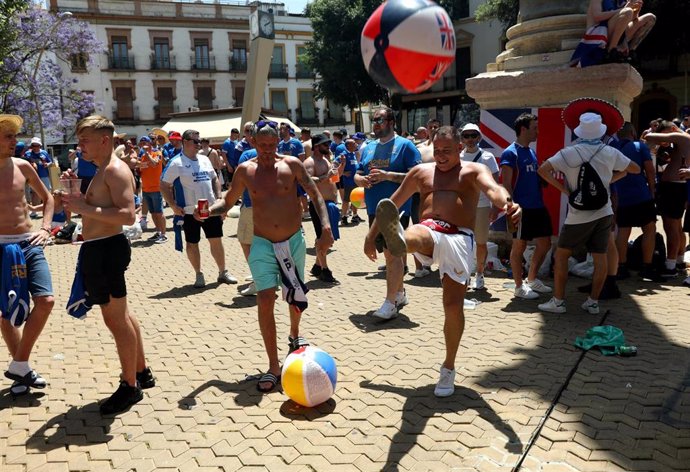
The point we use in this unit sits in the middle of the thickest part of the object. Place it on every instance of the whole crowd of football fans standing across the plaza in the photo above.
(433, 195)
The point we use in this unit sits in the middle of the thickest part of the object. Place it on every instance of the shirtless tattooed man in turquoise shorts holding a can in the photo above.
(278, 249)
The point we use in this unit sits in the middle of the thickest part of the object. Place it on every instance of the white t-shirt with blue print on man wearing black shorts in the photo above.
(196, 177)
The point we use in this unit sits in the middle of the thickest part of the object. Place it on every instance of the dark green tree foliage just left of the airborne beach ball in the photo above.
(334, 53)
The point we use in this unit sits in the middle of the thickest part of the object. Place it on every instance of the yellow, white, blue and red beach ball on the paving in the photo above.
(309, 376)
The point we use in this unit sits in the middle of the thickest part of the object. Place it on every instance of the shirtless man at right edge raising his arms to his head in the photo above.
(672, 189)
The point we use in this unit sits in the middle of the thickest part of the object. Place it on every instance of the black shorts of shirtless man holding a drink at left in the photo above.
(103, 264)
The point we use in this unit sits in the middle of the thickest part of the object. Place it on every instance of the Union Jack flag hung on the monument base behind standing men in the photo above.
(498, 133)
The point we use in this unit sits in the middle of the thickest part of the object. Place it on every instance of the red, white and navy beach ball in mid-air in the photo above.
(407, 45)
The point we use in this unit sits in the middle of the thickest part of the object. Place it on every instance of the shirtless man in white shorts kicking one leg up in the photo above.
(449, 192)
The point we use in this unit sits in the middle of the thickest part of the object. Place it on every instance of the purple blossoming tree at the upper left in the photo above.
(32, 83)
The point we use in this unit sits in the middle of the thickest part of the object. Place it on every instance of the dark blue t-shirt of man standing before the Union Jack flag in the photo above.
(526, 186)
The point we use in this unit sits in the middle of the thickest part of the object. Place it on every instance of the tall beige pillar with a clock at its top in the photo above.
(261, 36)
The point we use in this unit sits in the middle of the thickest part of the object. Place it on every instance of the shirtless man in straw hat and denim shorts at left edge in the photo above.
(22, 258)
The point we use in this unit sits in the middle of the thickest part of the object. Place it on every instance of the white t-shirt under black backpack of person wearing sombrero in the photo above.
(604, 162)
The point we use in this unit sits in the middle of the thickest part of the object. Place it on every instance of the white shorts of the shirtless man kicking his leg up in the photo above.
(453, 253)
